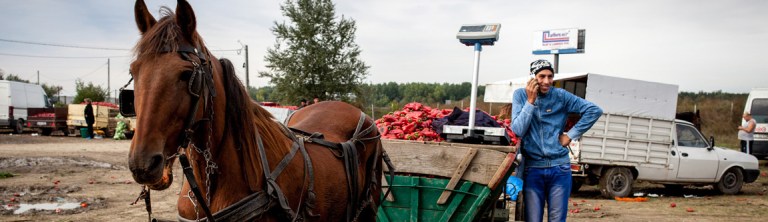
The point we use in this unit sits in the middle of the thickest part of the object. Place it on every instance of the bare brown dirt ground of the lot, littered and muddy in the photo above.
(60, 169)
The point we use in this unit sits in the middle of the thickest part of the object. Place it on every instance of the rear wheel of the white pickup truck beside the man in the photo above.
(616, 182)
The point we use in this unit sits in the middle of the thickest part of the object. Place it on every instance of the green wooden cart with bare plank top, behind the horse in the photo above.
(444, 181)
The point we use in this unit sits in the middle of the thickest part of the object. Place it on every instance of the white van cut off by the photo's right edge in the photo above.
(757, 105)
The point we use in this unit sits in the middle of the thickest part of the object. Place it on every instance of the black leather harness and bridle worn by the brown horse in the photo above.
(260, 202)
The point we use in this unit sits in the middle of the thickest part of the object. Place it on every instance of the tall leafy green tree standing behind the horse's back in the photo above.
(315, 54)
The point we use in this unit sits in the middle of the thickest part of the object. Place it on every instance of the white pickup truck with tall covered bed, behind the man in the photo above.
(638, 138)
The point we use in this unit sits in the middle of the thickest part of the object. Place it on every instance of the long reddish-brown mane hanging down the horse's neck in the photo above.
(242, 120)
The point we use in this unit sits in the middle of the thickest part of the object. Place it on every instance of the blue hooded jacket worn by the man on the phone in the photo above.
(541, 124)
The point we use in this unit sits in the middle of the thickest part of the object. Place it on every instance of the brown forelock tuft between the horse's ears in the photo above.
(165, 36)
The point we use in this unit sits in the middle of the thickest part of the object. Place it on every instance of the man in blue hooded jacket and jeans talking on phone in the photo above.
(538, 116)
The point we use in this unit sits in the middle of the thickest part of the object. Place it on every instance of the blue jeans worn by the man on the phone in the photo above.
(551, 184)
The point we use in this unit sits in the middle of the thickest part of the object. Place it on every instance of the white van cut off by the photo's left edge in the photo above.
(15, 98)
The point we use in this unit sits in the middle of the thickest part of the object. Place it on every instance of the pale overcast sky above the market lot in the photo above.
(700, 45)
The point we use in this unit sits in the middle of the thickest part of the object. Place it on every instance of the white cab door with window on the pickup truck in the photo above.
(696, 161)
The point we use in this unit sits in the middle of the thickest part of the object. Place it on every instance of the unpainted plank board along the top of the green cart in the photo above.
(441, 160)
